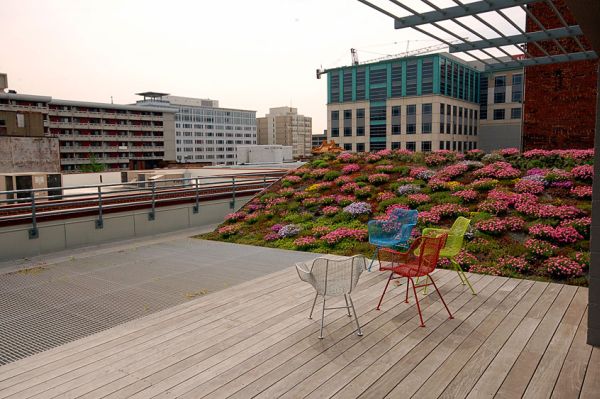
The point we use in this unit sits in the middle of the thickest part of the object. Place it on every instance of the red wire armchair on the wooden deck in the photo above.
(419, 261)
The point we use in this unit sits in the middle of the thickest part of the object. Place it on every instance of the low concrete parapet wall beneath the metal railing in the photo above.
(73, 233)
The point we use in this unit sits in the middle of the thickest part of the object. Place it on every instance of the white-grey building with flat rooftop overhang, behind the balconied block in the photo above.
(204, 132)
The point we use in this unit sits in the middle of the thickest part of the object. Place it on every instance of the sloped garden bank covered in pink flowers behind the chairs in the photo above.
(530, 212)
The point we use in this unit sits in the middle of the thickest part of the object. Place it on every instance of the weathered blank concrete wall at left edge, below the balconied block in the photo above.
(29, 154)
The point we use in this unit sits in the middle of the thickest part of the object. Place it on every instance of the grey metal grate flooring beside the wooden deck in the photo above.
(48, 306)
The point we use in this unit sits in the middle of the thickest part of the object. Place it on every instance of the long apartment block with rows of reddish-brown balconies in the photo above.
(118, 136)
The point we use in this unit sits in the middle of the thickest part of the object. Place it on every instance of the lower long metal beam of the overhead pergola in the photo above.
(549, 34)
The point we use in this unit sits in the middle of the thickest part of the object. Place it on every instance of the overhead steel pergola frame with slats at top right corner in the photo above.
(420, 21)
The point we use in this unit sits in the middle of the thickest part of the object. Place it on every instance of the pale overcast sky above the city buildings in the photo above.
(246, 54)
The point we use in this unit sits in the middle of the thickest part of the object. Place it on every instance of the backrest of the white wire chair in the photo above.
(337, 276)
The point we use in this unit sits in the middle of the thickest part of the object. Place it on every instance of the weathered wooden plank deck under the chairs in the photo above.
(516, 338)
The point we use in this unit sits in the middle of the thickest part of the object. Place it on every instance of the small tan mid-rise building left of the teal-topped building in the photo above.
(285, 127)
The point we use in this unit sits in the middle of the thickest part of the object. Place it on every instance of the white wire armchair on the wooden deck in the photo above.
(332, 276)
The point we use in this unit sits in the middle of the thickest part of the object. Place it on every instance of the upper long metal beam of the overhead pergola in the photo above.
(456, 12)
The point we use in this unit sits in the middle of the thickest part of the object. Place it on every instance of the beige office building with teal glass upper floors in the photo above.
(422, 103)
